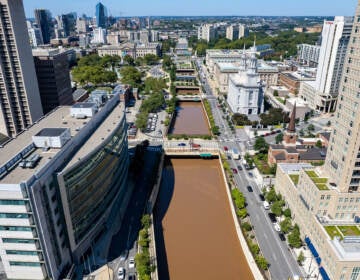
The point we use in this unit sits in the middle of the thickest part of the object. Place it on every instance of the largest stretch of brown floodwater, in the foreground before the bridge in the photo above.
(195, 233)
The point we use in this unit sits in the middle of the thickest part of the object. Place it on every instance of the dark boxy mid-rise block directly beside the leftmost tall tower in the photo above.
(53, 75)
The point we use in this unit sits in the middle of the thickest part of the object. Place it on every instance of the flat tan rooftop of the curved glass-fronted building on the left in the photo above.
(52, 123)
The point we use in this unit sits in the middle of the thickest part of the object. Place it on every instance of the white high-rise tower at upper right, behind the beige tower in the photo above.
(322, 93)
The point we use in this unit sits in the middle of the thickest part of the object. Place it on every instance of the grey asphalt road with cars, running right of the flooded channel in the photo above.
(282, 263)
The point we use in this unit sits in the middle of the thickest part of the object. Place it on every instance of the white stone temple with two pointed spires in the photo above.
(245, 93)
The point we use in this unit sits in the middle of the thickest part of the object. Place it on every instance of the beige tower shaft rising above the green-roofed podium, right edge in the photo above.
(343, 159)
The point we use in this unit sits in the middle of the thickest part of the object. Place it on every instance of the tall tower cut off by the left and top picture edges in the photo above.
(19, 92)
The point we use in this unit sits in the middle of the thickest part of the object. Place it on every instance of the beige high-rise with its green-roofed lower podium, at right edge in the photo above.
(325, 200)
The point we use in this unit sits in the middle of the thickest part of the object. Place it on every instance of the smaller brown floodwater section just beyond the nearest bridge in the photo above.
(190, 119)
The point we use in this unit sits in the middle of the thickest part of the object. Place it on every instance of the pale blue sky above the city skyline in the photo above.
(198, 7)
